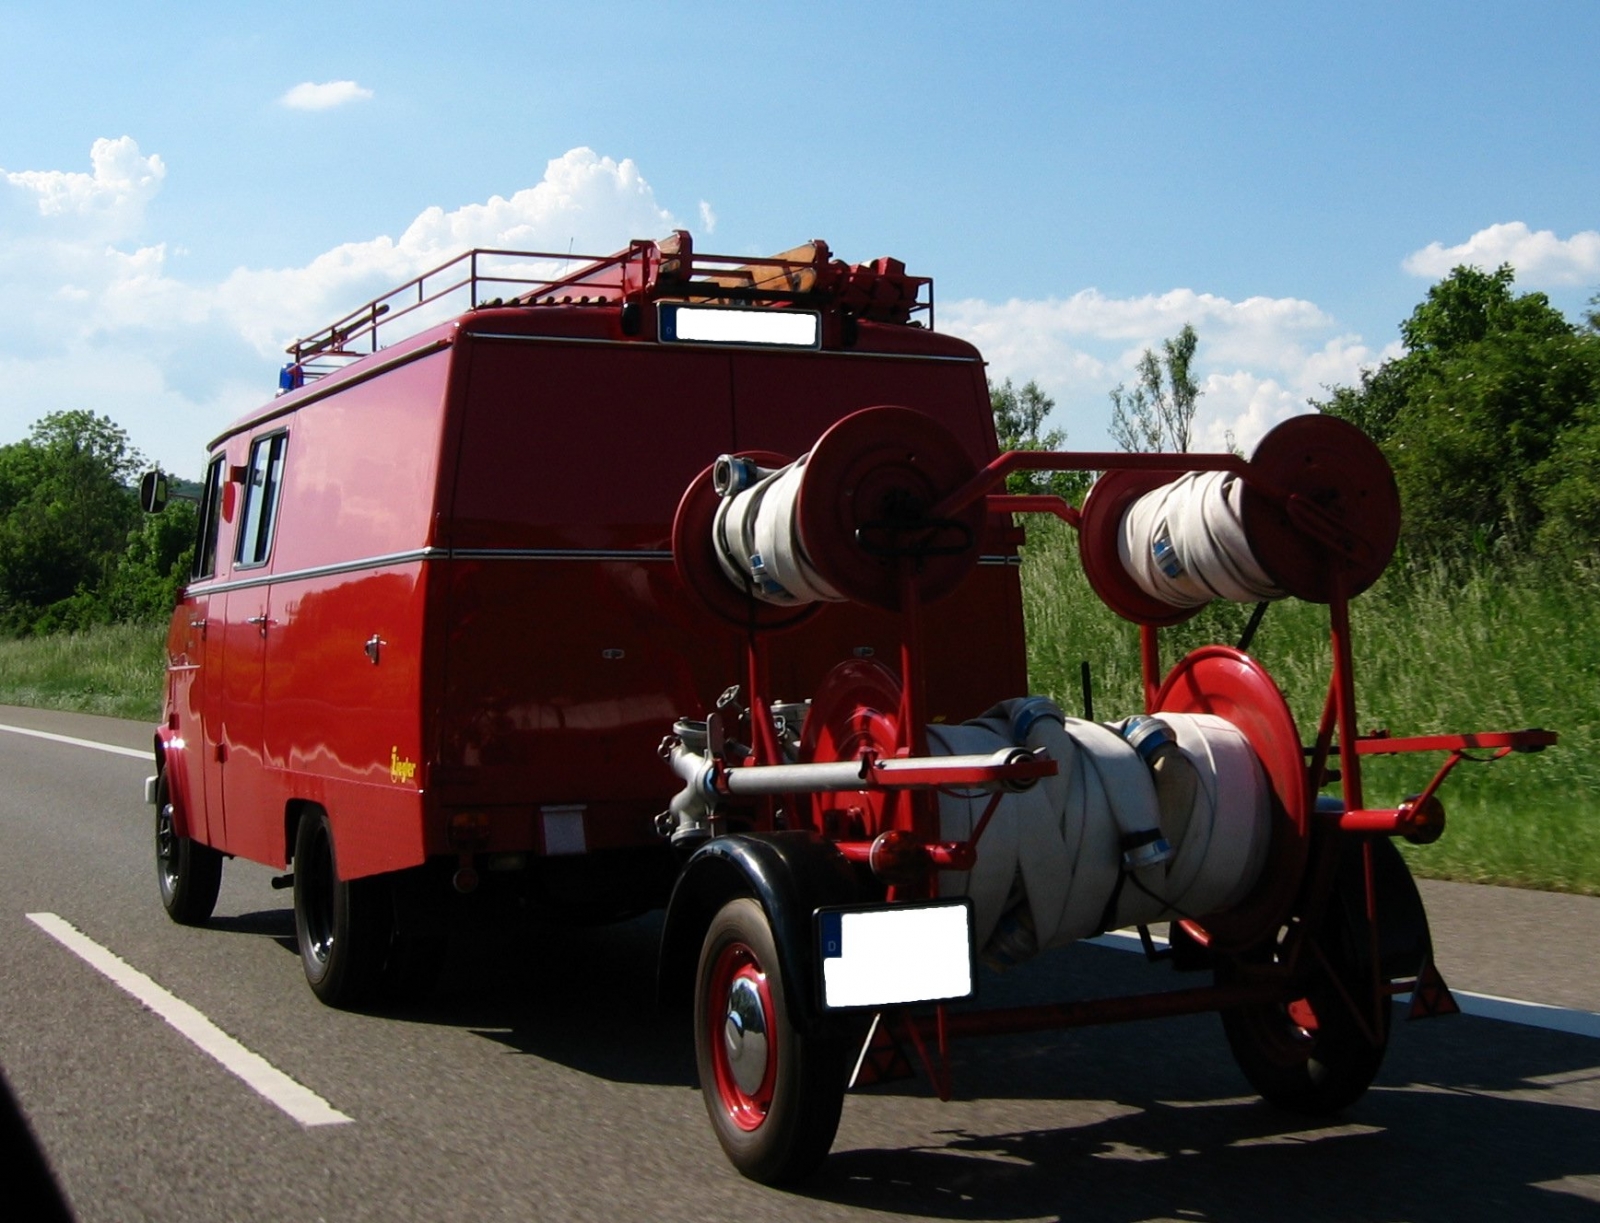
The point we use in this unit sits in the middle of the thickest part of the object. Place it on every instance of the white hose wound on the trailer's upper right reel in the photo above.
(1185, 543)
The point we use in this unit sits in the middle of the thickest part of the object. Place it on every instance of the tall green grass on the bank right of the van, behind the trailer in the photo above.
(1436, 651)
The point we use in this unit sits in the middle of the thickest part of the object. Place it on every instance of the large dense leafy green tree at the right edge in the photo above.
(1489, 420)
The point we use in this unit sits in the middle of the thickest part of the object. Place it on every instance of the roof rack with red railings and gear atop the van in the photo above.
(644, 271)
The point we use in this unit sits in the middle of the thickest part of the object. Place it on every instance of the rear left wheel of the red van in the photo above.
(343, 926)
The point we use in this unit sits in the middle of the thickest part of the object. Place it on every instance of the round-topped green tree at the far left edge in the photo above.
(66, 511)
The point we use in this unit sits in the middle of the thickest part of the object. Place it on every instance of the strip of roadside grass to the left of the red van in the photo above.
(113, 670)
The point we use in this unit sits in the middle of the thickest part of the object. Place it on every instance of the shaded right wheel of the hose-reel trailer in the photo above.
(1313, 1056)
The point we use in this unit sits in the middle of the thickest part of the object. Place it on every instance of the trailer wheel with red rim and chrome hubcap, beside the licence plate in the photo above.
(772, 1091)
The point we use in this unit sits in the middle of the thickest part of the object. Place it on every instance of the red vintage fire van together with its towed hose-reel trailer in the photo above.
(692, 582)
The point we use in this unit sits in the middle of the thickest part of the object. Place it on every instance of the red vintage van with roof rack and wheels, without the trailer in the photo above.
(434, 632)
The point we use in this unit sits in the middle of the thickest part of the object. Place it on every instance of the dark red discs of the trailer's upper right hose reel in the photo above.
(1310, 475)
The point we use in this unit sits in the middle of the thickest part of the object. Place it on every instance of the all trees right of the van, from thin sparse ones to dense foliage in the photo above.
(1490, 420)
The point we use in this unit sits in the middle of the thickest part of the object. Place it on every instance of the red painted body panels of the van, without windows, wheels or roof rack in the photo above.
(492, 502)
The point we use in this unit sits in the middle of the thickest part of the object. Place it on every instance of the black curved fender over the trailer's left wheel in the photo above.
(791, 875)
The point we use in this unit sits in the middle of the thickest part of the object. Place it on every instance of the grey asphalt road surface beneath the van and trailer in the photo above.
(543, 1085)
